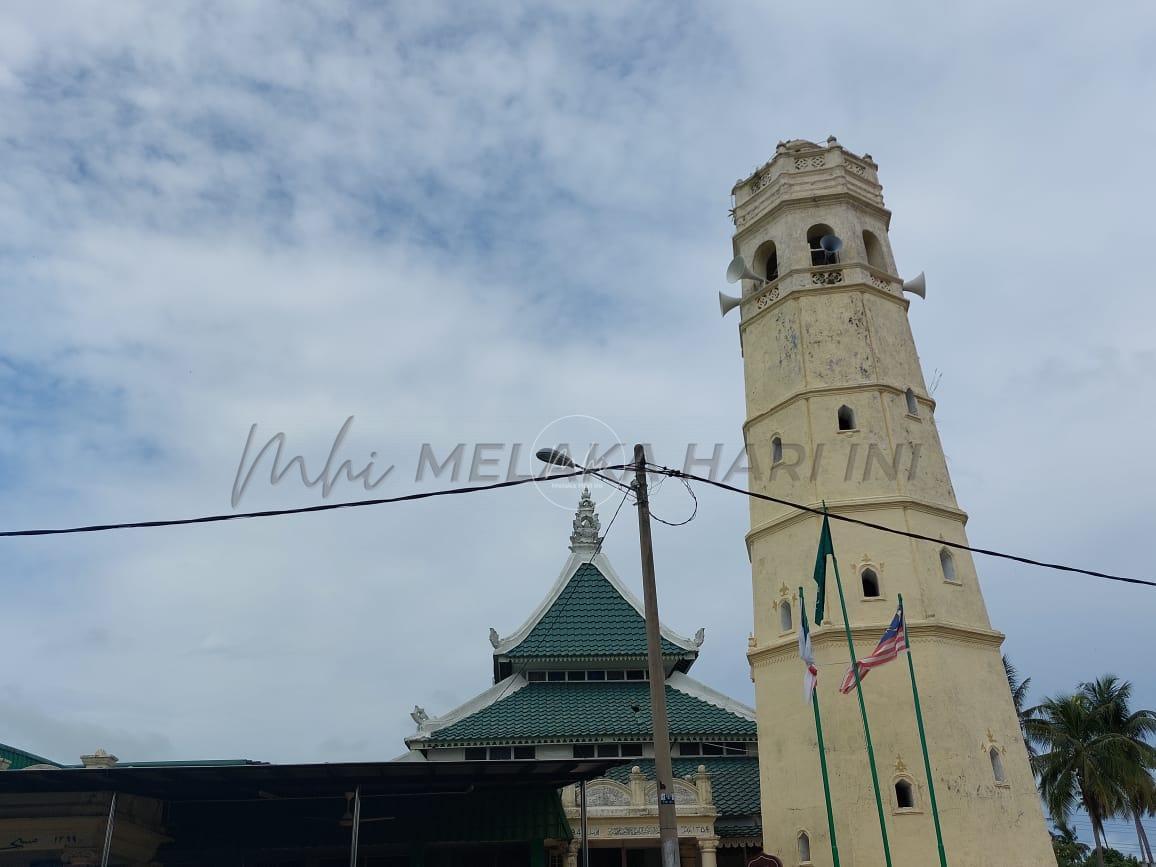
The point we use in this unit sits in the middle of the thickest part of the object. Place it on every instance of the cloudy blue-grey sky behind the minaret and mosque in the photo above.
(461, 224)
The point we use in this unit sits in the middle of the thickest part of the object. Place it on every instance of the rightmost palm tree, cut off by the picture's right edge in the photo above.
(1111, 698)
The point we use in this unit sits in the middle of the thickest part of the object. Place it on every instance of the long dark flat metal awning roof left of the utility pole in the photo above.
(262, 782)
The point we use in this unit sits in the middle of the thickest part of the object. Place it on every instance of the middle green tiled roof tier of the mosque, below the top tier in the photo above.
(576, 712)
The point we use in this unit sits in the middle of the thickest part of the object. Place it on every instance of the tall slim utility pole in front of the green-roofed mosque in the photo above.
(668, 820)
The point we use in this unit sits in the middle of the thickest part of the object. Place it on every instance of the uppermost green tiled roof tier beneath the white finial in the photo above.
(589, 619)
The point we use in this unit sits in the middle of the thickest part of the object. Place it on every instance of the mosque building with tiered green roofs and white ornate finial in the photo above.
(572, 683)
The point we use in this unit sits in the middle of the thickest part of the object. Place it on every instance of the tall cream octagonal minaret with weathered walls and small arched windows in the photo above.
(838, 411)
